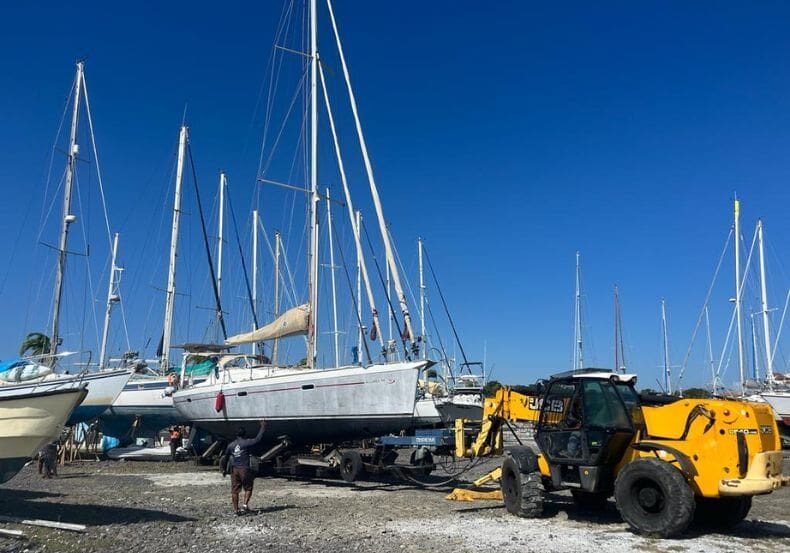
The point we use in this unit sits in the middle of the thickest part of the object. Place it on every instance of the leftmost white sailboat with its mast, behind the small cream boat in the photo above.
(104, 385)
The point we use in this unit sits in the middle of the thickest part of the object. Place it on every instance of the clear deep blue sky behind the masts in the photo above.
(508, 134)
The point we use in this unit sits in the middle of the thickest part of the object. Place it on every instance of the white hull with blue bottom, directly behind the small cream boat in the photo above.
(103, 388)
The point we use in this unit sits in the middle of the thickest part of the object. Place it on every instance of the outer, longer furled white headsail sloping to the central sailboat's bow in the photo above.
(409, 334)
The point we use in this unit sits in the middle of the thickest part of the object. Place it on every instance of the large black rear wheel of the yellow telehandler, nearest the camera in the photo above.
(654, 498)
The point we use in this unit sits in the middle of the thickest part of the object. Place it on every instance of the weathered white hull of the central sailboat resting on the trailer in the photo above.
(309, 406)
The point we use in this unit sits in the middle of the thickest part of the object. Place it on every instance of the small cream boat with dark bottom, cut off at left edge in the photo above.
(31, 419)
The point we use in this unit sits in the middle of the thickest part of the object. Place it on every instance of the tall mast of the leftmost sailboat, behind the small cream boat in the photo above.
(67, 217)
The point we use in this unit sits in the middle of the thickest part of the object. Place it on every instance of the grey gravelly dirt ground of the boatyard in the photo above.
(166, 507)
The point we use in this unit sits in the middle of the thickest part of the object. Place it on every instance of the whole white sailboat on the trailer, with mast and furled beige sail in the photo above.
(307, 404)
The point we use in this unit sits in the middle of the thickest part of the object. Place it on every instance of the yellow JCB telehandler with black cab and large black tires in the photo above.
(665, 464)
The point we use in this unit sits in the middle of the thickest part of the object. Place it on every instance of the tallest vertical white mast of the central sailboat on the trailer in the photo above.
(313, 256)
